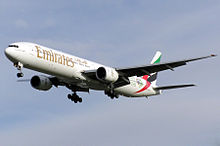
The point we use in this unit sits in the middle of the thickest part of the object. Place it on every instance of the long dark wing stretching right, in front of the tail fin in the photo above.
(148, 69)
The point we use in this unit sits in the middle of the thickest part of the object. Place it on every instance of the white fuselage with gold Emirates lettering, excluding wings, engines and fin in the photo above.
(69, 68)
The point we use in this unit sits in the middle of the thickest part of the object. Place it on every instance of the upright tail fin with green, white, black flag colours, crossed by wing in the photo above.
(153, 77)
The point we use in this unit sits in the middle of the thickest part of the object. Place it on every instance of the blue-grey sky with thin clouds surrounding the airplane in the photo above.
(117, 33)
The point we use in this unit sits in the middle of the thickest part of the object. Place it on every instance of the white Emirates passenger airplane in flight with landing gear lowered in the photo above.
(81, 75)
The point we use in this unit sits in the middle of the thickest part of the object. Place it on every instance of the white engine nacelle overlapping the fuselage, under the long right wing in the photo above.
(107, 74)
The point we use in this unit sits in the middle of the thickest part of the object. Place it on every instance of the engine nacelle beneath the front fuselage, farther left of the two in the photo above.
(41, 83)
